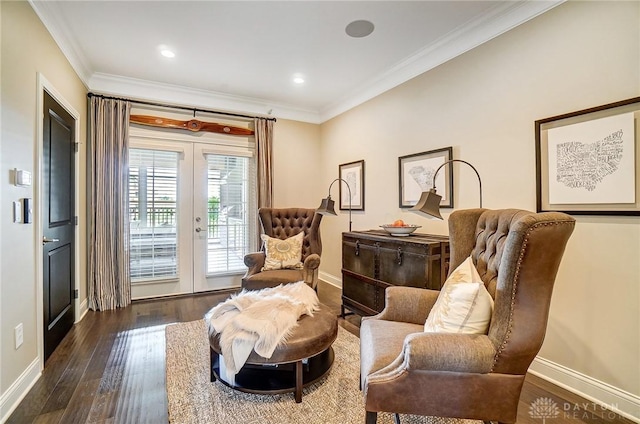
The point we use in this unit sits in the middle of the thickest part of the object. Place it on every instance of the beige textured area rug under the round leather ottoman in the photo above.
(335, 399)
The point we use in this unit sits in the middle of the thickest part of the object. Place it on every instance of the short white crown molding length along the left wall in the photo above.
(54, 23)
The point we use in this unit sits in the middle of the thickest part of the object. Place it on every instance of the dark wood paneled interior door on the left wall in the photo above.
(58, 222)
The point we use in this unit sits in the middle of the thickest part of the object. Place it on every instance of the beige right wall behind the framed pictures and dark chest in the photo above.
(484, 104)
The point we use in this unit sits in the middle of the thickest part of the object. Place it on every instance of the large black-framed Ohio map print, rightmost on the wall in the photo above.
(588, 162)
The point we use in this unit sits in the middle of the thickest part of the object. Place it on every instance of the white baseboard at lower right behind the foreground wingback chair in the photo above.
(603, 394)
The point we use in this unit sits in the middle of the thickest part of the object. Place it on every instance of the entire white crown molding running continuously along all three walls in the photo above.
(499, 20)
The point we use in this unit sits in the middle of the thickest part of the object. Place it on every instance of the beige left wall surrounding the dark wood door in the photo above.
(27, 49)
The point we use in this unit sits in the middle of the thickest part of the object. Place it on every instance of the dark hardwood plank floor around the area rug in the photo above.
(110, 369)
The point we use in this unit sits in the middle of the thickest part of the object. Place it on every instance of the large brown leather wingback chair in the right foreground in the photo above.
(405, 370)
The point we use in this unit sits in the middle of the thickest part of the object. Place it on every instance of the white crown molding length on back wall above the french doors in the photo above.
(139, 89)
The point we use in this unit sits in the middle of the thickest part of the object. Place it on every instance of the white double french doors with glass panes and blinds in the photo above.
(192, 216)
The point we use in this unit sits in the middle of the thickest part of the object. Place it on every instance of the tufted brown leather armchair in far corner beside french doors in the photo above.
(282, 224)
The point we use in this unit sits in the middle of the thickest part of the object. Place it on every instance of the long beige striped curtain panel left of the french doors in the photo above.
(109, 285)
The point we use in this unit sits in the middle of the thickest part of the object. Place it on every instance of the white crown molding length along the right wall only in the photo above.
(499, 20)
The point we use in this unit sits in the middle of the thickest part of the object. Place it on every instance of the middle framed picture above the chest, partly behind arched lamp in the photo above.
(416, 174)
